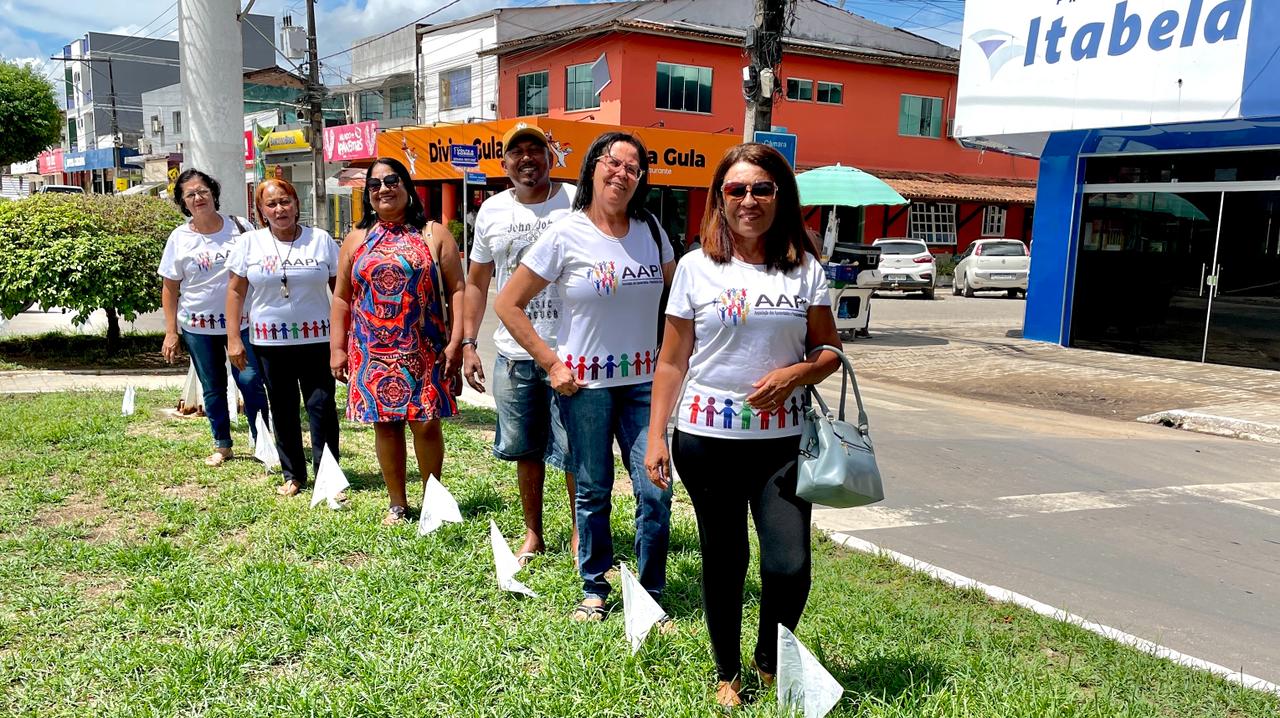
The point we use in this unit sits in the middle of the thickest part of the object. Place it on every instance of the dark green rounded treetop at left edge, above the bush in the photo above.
(30, 116)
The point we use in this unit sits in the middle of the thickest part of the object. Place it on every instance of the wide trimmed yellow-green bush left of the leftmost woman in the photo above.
(84, 253)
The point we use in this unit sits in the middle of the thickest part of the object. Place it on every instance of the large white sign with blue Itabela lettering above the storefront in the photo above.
(1041, 66)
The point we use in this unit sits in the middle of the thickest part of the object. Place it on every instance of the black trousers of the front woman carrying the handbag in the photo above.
(724, 479)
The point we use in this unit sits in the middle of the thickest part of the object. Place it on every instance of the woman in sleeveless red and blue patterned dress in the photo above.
(390, 342)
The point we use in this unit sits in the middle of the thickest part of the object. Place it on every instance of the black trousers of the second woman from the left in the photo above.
(287, 371)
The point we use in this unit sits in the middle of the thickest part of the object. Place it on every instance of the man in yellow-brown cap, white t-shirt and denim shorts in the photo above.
(529, 426)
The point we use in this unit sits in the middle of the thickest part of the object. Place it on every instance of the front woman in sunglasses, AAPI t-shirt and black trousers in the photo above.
(744, 310)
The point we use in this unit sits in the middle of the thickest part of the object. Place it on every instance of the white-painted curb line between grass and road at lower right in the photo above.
(1005, 596)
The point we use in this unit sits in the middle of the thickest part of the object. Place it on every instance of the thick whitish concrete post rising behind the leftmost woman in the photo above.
(212, 54)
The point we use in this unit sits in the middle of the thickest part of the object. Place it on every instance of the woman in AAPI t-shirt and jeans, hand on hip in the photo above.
(611, 272)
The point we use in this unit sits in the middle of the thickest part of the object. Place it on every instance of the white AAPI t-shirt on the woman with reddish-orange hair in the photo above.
(309, 262)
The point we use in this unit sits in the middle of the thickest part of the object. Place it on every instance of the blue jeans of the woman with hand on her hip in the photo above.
(593, 420)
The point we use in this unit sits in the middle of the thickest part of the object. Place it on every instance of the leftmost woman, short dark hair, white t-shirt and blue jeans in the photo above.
(194, 298)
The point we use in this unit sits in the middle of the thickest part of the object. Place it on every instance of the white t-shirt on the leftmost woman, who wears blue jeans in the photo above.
(199, 263)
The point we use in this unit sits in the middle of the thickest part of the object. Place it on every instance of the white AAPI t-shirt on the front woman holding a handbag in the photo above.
(748, 322)
